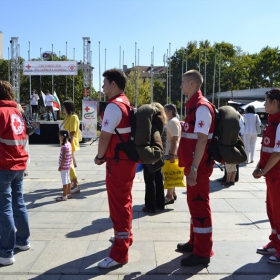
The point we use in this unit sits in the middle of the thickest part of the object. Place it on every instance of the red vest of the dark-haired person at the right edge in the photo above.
(268, 142)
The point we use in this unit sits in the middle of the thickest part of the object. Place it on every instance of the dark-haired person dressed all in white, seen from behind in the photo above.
(250, 132)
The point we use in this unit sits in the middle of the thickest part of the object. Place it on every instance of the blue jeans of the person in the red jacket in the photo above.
(13, 212)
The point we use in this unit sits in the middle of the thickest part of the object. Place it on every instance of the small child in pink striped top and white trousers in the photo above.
(65, 161)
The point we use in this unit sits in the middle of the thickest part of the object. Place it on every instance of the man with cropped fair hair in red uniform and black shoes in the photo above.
(192, 153)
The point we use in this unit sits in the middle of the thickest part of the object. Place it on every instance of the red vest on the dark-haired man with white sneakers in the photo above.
(123, 128)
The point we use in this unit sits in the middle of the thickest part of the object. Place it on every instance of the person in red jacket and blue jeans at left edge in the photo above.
(14, 226)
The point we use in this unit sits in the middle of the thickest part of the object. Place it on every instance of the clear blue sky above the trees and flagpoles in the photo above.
(158, 24)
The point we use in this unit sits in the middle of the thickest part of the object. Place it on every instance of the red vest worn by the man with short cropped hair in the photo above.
(189, 138)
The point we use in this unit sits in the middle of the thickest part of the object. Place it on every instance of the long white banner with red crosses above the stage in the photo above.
(50, 68)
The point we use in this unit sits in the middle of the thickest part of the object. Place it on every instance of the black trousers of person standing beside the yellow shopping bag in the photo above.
(154, 192)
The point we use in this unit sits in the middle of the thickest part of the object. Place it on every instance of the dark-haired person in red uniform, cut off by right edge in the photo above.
(269, 167)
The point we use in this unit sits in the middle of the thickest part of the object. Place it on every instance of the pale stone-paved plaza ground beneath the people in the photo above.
(68, 239)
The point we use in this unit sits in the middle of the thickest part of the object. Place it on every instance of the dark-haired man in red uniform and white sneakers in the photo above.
(120, 174)
